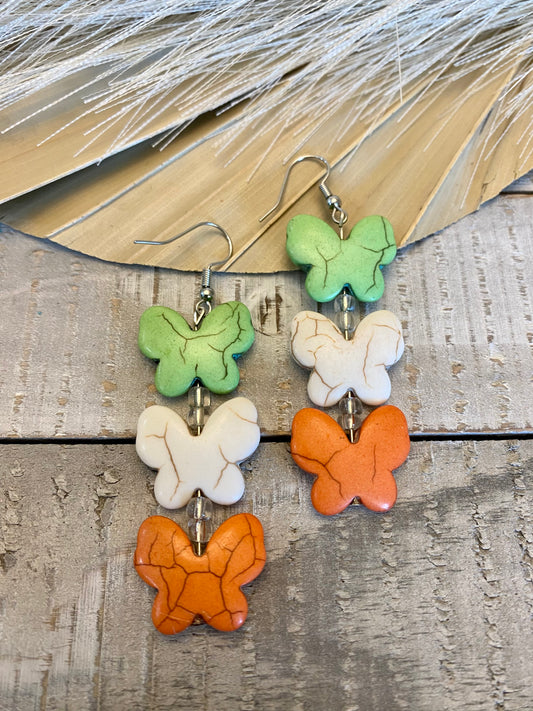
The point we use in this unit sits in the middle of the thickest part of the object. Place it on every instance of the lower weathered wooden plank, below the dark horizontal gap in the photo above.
(426, 607)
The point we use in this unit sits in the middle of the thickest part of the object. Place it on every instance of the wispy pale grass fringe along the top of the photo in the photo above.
(286, 60)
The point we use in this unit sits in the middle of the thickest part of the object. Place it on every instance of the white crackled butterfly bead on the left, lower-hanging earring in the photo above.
(208, 461)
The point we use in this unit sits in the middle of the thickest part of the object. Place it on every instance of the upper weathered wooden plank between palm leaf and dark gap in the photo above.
(72, 367)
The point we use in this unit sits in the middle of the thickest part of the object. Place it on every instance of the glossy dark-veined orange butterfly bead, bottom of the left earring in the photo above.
(206, 585)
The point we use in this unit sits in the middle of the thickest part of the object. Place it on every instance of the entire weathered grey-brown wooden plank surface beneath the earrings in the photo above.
(426, 607)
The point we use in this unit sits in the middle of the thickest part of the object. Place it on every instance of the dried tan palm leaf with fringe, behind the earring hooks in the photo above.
(424, 145)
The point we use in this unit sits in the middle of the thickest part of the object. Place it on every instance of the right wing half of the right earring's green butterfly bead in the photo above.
(369, 247)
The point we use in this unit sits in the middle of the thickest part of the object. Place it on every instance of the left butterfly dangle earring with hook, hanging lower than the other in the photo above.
(198, 575)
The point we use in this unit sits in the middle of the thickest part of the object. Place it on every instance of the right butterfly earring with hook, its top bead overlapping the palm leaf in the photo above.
(349, 365)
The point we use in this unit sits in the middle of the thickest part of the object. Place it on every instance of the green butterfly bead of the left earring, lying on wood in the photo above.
(207, 354)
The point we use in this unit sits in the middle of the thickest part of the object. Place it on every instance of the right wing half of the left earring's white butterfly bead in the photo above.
(230, 435)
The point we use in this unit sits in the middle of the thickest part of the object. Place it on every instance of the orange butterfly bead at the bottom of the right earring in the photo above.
(347, 470)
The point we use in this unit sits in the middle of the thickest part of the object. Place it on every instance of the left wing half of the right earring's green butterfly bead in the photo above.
(313, 245)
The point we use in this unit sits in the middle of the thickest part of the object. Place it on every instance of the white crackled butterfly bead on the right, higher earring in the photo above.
(338, 365)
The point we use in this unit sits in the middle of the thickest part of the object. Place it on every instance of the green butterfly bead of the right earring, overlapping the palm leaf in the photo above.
(333, 263)
